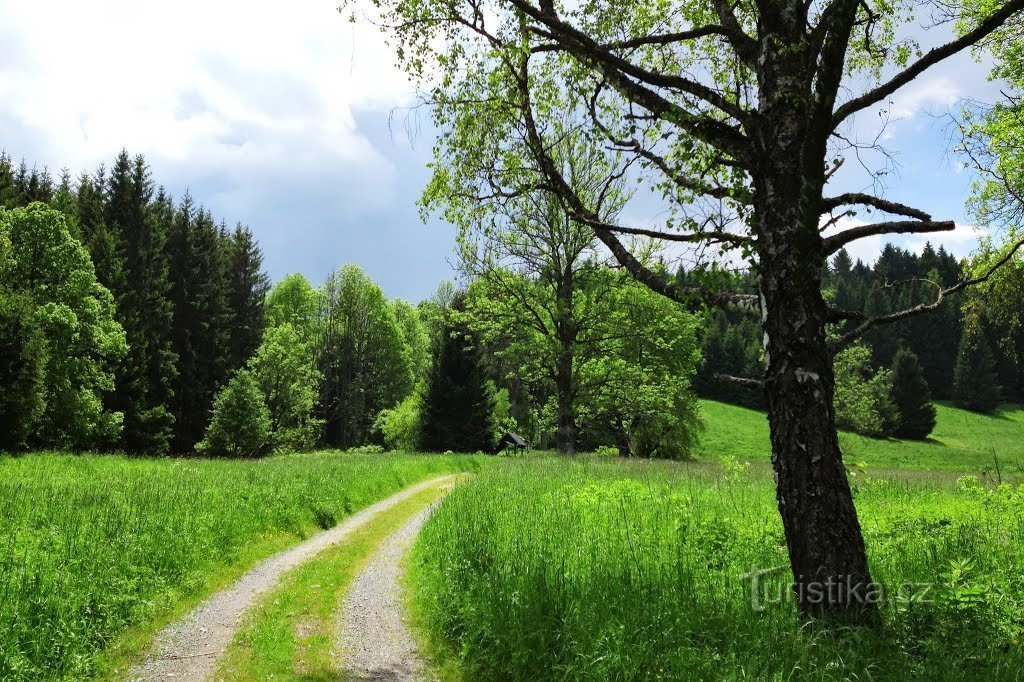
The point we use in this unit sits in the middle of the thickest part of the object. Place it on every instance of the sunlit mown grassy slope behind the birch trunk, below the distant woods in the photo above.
(962, 441)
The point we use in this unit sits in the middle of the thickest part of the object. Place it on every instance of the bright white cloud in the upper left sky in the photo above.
(181, 80)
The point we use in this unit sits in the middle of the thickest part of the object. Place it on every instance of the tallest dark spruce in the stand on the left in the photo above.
(141, 288)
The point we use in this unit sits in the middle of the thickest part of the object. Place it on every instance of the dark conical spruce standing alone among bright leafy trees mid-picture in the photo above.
(457, 406)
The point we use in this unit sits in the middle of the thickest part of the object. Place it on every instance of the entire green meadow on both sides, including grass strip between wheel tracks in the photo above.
(540, 568)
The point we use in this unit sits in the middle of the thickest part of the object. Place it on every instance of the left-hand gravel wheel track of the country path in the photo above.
(190, 650)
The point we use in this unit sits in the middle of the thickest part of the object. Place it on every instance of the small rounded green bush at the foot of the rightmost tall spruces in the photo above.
(241, 424)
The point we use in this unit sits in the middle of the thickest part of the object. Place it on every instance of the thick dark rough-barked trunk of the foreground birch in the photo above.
(827, 548)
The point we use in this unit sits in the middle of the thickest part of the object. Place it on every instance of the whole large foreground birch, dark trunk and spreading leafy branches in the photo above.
(737, 113)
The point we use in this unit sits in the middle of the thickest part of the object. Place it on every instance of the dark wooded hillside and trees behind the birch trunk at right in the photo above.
(969, 352)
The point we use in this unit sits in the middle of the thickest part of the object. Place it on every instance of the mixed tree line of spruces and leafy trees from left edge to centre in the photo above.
(141, 324)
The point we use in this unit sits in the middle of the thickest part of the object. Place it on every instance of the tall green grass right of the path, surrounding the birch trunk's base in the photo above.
(593, 570)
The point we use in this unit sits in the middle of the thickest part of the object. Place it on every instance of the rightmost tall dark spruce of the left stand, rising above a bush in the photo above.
(248, 286)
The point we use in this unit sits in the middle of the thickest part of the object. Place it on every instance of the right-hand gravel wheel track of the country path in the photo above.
(376, 643)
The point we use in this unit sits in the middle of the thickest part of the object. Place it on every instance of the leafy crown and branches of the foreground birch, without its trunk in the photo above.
(673, 100)
